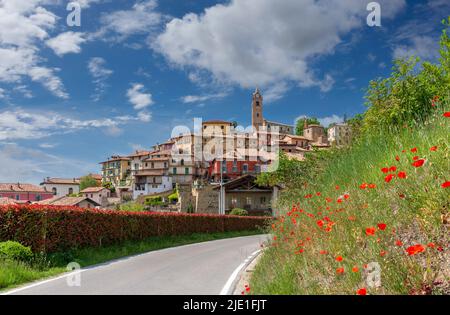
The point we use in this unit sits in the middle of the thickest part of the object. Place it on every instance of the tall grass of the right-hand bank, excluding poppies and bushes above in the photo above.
(415, 219)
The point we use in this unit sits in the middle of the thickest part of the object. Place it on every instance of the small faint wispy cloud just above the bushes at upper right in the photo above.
(425, 47)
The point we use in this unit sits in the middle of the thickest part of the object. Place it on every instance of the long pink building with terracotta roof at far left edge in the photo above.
(24, 192)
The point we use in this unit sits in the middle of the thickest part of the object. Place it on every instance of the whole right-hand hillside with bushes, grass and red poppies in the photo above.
(372, 218)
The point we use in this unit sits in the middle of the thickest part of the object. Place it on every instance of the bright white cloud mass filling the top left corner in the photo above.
(24, 25)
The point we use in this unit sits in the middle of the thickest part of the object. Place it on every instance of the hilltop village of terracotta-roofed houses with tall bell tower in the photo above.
(212, 170)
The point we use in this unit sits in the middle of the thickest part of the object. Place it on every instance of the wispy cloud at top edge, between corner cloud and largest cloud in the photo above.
(142, 18)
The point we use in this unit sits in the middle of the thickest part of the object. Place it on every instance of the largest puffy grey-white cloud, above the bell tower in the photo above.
(264, 42)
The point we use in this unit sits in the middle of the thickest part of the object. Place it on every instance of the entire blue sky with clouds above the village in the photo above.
(71, 96)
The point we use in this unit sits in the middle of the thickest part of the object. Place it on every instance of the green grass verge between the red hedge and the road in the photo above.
(15, 273)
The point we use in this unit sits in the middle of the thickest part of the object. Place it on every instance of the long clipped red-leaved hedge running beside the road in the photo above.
(53, 229)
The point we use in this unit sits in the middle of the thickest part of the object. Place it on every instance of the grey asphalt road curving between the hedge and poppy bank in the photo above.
(203, 268)
